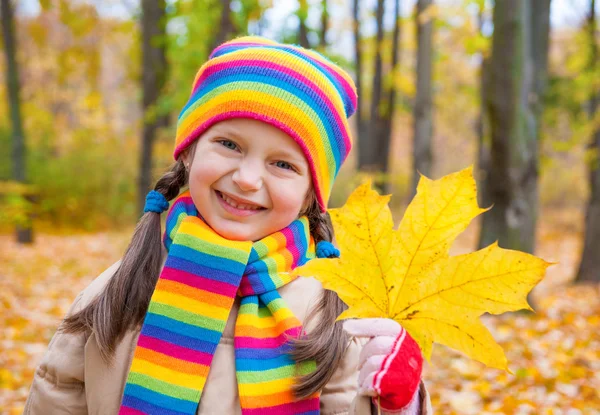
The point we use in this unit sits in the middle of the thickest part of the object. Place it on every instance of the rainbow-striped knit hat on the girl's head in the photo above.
(294, 89)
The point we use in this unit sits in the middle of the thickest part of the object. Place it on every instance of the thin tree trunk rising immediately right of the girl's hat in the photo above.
(363, 140)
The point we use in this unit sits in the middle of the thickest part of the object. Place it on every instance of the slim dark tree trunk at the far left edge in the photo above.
(24, 233)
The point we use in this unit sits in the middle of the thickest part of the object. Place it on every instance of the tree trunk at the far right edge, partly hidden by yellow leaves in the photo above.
(589, 268)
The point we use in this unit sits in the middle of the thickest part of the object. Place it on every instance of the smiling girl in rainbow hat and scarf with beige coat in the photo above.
(213, 323)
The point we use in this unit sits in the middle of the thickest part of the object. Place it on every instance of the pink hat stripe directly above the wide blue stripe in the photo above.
(298, 76)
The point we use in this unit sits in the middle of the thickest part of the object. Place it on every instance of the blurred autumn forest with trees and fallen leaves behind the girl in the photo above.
(89, 99)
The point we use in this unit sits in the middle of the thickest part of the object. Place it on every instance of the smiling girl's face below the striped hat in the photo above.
(247, 178)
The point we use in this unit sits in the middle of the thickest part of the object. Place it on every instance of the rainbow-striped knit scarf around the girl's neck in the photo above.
(189, 309)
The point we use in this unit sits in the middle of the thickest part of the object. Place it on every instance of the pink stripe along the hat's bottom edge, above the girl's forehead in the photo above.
(247, 114)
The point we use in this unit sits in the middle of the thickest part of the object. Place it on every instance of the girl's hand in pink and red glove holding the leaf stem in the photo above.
(390, 363)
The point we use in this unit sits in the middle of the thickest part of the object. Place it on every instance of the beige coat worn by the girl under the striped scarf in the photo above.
(73, 379)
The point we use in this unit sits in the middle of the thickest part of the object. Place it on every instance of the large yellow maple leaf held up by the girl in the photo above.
(408, 275)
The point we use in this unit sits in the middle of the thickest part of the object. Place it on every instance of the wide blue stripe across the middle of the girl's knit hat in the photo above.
(280, 80)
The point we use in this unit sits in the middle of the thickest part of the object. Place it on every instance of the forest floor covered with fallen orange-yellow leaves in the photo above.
(554, 354)
